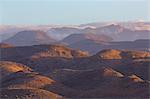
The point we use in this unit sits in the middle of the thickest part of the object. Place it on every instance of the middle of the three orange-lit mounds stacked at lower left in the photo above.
(22, 79)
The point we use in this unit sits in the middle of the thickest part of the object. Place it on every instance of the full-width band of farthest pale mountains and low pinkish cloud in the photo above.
(119, 31)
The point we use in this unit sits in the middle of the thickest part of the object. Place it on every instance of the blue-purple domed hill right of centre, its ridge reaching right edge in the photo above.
(93, 46)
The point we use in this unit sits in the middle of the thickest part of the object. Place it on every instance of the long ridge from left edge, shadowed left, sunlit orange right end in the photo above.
(39, 51)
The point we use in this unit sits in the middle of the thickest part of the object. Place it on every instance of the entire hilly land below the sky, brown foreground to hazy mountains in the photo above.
(96, 61)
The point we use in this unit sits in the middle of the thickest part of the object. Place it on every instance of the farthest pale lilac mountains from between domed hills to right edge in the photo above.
(116, 31)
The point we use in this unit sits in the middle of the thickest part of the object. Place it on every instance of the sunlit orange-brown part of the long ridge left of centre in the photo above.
(59, 51)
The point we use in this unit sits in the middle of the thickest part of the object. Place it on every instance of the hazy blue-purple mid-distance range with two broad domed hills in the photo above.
(83, 41)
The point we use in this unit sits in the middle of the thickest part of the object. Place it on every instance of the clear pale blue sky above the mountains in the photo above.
(35, 12)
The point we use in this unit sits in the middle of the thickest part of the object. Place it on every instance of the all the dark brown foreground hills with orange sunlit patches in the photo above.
(61, 72)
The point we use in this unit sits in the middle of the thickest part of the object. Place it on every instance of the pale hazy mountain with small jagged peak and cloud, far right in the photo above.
(124, 31)
